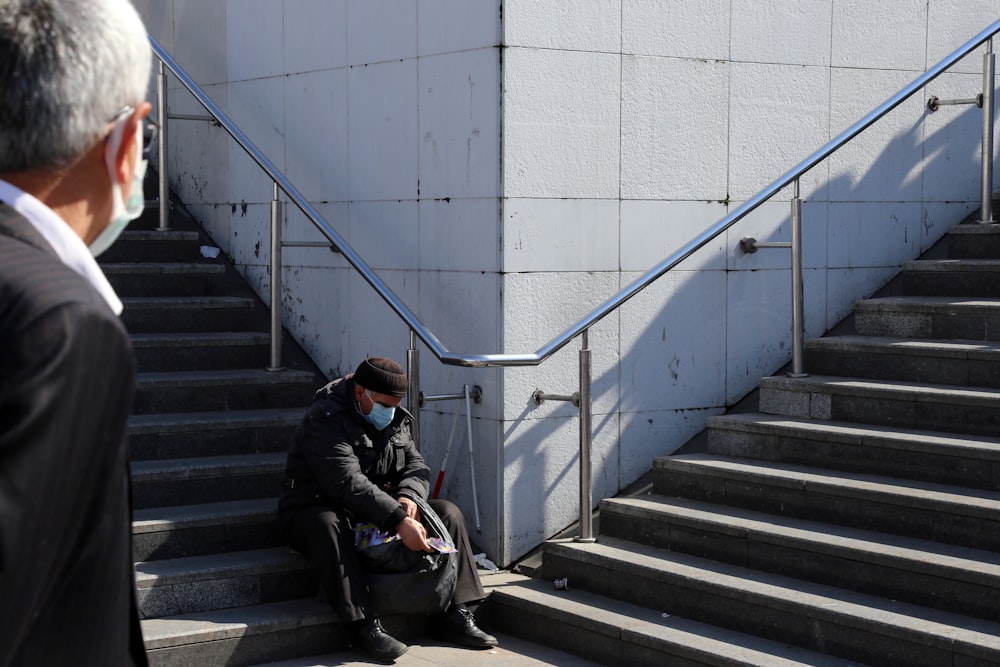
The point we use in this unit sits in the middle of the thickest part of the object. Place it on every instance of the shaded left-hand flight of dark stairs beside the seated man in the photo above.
(208, 434)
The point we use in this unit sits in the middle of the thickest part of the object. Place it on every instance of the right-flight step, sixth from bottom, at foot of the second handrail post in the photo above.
(898, 404)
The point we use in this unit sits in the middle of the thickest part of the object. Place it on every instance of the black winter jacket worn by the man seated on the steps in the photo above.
(338, 460)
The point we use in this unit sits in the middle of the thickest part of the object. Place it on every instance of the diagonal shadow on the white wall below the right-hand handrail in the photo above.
(630, 434)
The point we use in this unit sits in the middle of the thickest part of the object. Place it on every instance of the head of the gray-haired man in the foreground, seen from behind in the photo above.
(73, 79)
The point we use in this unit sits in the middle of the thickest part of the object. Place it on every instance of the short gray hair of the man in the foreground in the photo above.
(66, 68)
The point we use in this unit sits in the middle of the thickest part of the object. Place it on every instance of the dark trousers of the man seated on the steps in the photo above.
(326, 537)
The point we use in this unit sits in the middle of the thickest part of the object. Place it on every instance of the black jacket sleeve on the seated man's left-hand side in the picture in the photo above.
(327, 441)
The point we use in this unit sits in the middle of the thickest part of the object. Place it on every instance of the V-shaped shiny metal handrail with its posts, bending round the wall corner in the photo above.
(580, 328)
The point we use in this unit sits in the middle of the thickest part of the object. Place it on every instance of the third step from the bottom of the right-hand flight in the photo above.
(955, 579)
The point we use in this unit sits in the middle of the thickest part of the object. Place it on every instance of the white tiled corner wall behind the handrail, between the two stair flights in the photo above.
(506, 167)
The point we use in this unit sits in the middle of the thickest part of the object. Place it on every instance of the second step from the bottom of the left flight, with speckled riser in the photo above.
(222, 581)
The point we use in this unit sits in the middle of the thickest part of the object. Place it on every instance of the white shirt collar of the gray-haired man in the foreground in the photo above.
(68, 246)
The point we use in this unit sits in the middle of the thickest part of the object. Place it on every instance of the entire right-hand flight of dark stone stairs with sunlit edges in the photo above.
(853, 518)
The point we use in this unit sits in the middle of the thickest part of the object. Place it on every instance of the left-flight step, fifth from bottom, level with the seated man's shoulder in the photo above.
(211, 433)
